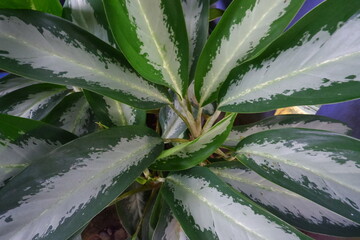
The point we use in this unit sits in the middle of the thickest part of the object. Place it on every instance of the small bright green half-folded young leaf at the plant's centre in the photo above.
(187, 155)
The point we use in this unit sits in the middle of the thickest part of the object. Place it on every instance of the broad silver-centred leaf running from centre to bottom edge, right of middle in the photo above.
(208, 208)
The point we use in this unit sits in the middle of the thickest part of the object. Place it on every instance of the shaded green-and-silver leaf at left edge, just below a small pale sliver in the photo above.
(34, 101)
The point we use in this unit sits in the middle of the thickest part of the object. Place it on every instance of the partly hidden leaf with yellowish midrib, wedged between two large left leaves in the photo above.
(114, 113)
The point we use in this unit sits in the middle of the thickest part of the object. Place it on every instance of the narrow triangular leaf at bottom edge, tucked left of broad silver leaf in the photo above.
(168, 227)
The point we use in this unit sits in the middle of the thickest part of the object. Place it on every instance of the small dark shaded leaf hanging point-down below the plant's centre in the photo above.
(130, 210)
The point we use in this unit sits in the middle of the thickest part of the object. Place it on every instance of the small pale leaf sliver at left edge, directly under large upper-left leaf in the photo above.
(11, 83)
